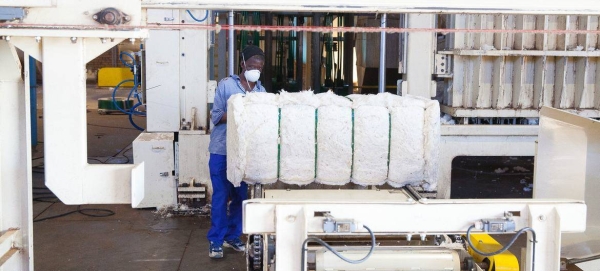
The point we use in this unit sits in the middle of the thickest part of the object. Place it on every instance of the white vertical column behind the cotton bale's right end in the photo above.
(420, 59)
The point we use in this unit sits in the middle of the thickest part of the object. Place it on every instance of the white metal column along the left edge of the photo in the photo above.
(15, 163)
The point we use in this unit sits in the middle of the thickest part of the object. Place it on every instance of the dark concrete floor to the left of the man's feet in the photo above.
(131, 239)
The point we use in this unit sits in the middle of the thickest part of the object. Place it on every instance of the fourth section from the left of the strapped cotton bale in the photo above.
(371, 142)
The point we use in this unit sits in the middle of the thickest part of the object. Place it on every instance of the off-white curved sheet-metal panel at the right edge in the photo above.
(568, 166)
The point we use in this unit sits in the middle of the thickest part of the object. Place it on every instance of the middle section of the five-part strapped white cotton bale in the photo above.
(334, 138)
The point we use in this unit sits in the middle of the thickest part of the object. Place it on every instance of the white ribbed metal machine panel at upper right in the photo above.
(503, 74)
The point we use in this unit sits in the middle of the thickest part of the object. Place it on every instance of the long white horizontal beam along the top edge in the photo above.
(391, 6)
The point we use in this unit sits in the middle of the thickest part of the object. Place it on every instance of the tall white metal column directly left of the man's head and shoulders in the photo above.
(176, 75)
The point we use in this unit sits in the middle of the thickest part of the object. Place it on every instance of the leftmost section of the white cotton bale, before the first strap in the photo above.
(252, 133)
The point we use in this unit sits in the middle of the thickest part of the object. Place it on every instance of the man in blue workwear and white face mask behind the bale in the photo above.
(226, 227)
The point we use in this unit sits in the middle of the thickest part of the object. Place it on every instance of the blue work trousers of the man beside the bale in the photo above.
(224, 225)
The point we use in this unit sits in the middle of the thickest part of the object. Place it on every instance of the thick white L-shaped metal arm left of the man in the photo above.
(68, 174)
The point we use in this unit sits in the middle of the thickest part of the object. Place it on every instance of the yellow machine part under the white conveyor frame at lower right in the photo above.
(504, 261)
